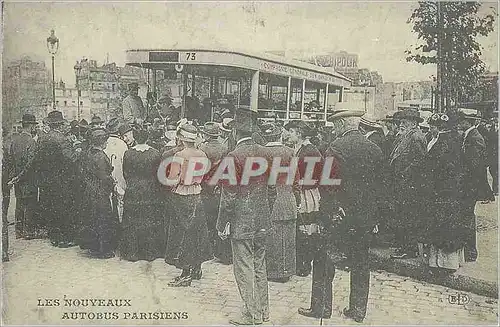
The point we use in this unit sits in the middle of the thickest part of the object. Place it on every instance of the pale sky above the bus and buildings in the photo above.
(376, 31)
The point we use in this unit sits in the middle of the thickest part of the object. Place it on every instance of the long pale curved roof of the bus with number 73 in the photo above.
(267, 63)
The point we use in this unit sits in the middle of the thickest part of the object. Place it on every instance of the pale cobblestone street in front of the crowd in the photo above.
(39, 271)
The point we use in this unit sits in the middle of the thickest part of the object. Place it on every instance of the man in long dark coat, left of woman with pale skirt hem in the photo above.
(406, 163)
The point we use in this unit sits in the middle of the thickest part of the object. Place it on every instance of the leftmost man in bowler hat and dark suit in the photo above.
(21, 152)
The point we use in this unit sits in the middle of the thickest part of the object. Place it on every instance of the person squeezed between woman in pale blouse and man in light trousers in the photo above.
(210, 194)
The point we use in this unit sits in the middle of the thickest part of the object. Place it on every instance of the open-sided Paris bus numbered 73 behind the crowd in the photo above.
(206, 82)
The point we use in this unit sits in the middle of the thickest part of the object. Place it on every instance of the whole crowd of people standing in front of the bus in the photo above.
(95, 185)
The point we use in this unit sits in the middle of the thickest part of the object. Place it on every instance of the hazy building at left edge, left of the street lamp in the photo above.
(25, 89)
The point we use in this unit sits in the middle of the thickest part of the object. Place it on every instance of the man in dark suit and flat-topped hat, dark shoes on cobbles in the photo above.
(358, 164)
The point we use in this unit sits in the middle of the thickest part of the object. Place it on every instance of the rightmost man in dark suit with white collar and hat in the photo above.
(473, 156)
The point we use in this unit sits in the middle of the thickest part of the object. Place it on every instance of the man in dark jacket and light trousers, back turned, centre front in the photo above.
(245, 207)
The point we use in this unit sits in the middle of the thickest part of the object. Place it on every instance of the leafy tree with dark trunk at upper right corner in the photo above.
(448, 32)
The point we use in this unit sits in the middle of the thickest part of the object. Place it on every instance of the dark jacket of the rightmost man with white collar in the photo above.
(473, 155)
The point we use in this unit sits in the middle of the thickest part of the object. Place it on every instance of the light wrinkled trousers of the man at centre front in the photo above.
(249, 266)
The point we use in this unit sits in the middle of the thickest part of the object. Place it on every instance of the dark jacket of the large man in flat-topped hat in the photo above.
(360, 169)
